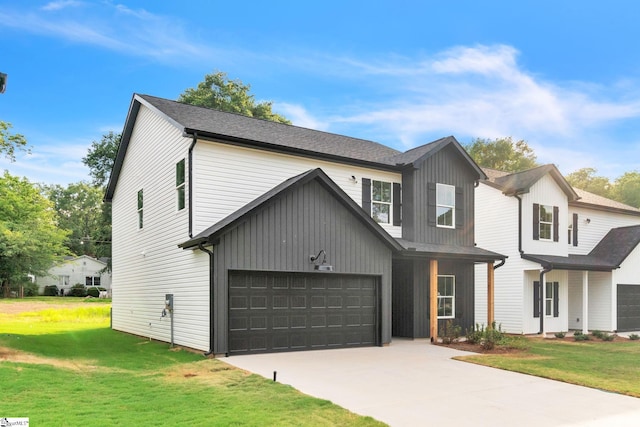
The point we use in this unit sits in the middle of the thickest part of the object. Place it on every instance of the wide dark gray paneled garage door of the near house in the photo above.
(272, 312)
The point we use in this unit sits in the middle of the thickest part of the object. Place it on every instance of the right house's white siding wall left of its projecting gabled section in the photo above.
(496, 218)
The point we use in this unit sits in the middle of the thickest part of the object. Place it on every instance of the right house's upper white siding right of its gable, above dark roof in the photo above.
(600, 222)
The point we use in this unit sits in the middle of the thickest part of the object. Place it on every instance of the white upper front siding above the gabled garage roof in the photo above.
(227, 177)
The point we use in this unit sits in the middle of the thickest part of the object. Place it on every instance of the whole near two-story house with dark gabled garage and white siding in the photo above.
(269, 237)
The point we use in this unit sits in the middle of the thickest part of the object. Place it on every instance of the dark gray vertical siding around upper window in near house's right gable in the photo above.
(444, 167)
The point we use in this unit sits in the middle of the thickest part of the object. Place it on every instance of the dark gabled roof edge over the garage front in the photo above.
(211, 234)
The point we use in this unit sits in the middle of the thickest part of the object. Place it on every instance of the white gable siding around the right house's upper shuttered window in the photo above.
(545, 192)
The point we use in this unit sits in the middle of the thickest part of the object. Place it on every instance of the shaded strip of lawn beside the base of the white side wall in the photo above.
(101, 346)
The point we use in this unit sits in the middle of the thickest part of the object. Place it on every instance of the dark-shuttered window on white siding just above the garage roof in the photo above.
(381, 200)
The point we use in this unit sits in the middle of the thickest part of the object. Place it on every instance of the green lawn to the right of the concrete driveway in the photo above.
(611, 366)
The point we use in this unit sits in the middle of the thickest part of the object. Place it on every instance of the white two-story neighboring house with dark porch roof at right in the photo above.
(583, 247)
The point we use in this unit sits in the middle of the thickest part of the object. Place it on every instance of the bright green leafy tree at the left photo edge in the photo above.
(30, 239)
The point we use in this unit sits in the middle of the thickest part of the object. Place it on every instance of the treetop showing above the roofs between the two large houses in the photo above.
(502, 154)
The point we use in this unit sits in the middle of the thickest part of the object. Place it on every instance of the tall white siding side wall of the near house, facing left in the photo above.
(147, 263)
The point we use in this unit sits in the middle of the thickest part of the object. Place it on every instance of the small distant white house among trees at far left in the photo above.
(84, 270)
